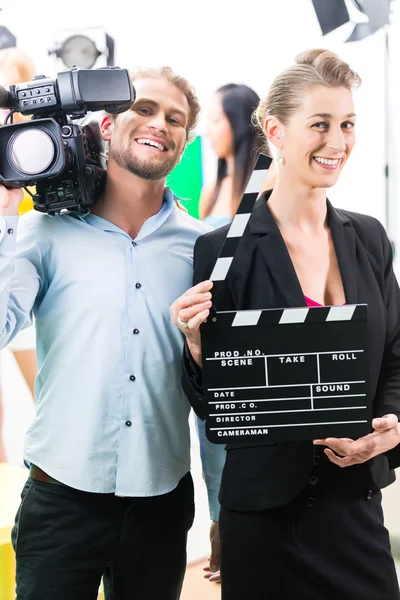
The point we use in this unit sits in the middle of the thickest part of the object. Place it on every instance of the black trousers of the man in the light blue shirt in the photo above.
(66, 540)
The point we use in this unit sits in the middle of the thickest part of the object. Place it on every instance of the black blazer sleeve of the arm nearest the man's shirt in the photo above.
(205, 256)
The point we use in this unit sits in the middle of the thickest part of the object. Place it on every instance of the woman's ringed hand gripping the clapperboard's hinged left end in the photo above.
(189, 312)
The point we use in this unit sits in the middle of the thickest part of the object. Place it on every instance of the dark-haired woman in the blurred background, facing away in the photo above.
(235, 142)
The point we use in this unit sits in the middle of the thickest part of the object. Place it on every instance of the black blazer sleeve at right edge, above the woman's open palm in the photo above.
(388, 390)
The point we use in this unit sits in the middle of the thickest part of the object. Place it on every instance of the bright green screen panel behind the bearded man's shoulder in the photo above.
(186, 179)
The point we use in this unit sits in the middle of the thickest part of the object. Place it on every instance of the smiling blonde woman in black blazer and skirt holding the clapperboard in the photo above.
(304, 520)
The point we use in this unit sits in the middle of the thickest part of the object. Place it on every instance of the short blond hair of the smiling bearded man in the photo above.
(179, 82)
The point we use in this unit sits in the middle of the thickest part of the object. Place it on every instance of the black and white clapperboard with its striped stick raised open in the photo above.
(282, 374)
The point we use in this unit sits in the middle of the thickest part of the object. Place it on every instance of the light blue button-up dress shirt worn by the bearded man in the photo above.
(111, 416)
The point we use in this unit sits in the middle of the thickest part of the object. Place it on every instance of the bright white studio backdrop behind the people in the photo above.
(223, 41)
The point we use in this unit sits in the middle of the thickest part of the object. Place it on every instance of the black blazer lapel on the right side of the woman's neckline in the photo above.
(344, 240)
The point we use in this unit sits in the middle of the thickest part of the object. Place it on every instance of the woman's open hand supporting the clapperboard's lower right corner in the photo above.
(345, 452)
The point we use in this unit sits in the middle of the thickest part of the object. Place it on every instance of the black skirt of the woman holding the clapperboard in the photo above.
(330, 543)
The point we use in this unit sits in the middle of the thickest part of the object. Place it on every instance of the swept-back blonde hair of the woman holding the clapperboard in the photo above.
(311, 68)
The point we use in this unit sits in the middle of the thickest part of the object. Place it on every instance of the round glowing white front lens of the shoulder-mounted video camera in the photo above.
(31, 150)
